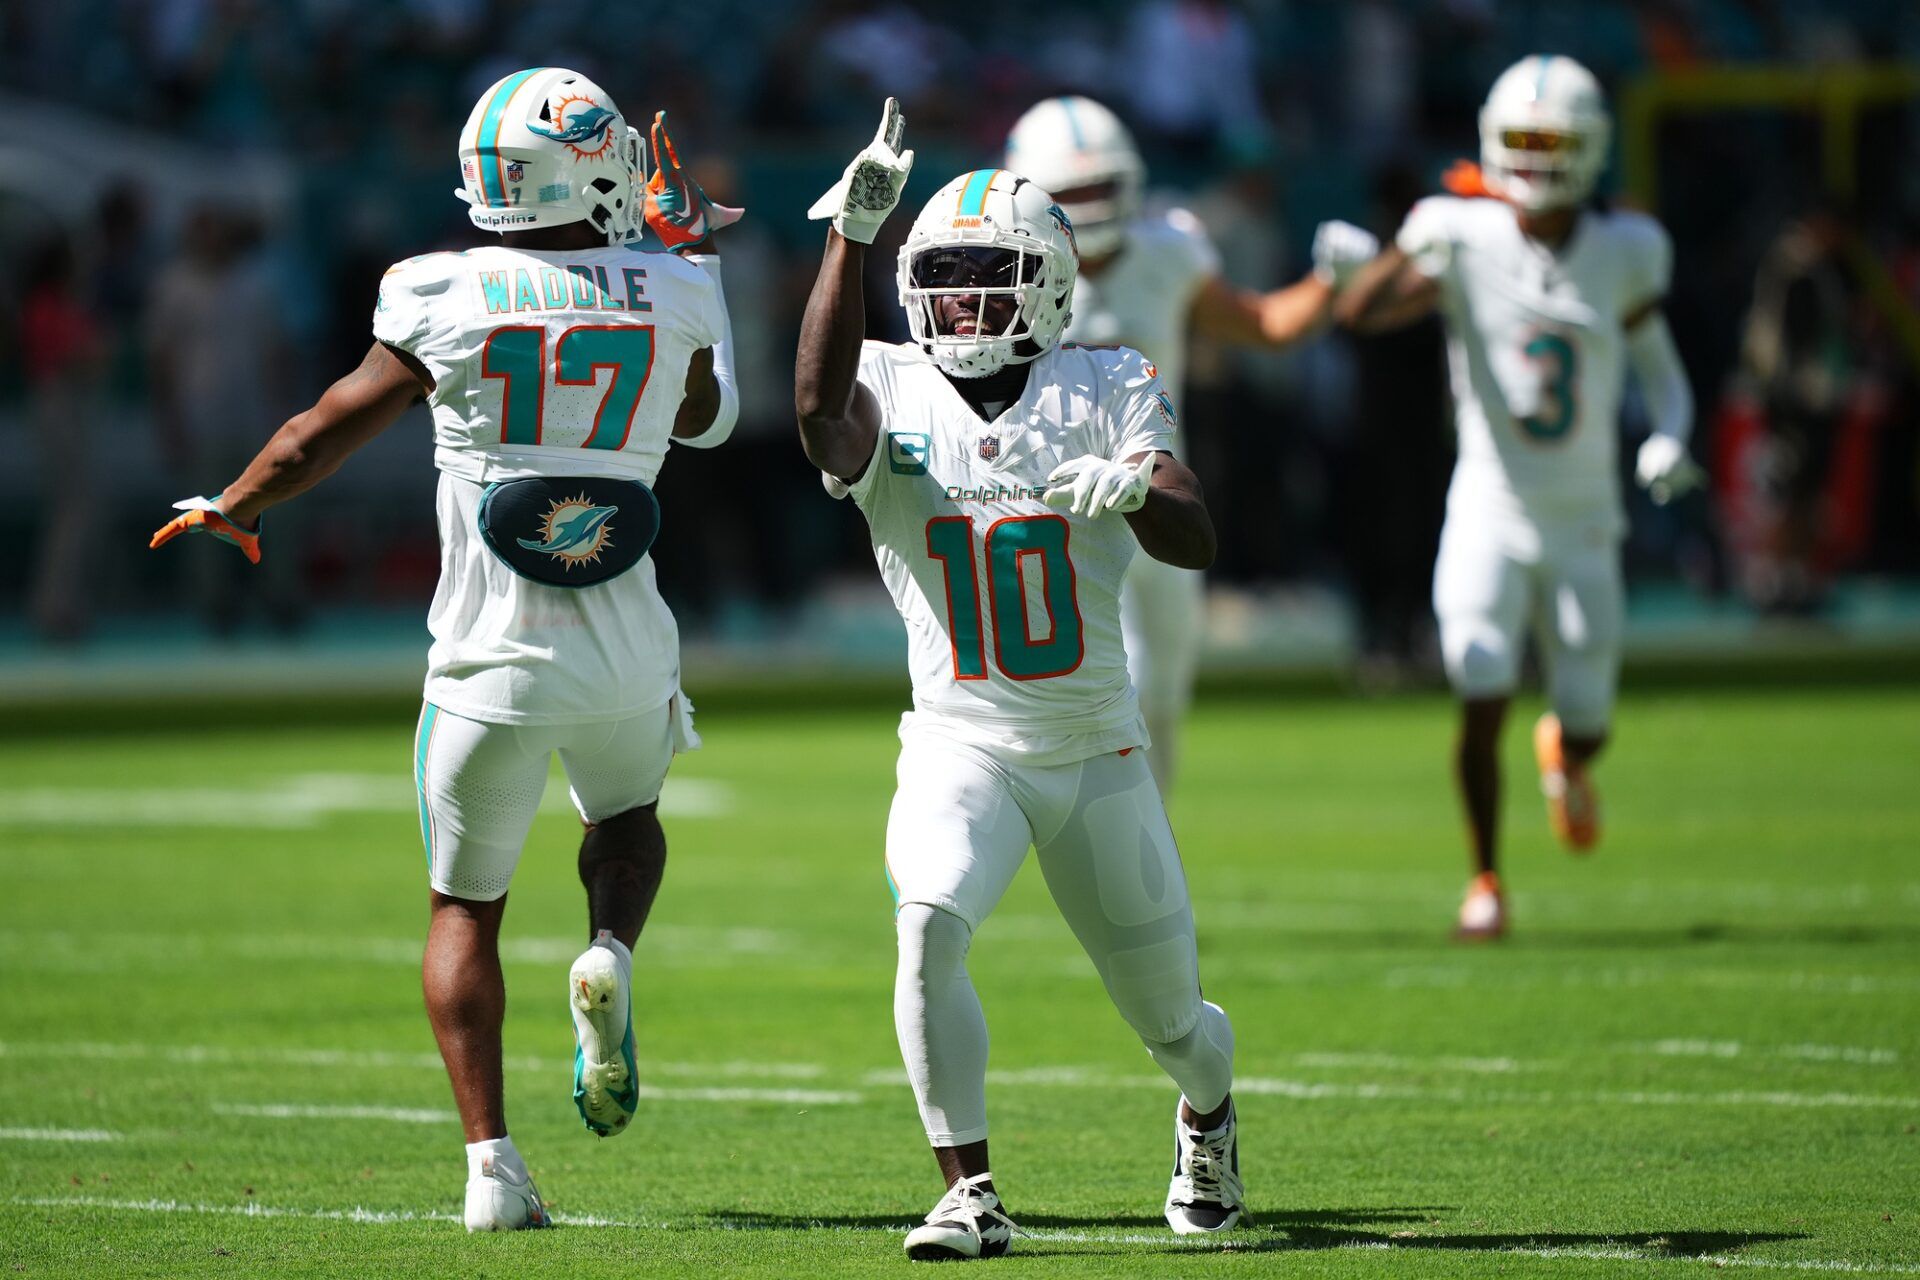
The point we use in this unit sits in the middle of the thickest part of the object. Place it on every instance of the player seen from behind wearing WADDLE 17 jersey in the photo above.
(560, 366)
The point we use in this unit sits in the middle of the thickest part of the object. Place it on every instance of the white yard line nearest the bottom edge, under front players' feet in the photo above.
(1431, 1244)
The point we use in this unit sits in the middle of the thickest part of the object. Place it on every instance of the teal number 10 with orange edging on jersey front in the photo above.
(1017, 546)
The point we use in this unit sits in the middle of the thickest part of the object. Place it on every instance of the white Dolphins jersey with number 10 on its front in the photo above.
(1011, 605)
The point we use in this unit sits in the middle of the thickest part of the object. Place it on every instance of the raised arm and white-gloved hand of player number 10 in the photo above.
(838, 417)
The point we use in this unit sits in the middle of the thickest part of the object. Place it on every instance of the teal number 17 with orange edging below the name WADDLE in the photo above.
(517, 358)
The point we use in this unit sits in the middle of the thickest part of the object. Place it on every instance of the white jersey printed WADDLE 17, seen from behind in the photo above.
(548, 364)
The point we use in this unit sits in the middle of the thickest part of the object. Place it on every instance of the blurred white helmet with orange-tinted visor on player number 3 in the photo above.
(1545, 133)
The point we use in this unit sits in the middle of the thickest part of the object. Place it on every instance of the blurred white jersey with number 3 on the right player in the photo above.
(1537, 350)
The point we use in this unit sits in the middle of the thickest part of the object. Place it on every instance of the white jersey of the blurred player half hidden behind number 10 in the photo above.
(1145, 296)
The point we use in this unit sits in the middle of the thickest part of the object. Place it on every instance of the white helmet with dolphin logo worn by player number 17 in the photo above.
(548, 147)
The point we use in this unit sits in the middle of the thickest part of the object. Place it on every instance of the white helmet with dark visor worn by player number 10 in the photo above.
(990, 235)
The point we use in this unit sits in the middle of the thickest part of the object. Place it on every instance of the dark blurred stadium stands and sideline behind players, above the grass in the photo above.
(199, 197)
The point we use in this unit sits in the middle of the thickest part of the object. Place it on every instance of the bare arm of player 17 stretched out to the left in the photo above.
(314, 444)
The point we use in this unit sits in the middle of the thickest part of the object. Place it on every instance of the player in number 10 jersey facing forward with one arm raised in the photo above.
(1009, 479)
